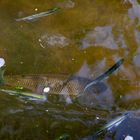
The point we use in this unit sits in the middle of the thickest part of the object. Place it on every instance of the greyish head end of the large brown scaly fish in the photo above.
(75, 89)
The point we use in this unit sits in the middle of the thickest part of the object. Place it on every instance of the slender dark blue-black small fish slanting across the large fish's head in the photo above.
(106, 74)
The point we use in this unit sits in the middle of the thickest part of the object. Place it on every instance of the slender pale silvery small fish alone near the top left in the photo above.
(39, 15)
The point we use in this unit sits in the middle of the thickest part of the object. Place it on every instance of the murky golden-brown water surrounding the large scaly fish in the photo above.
(85, 38)
